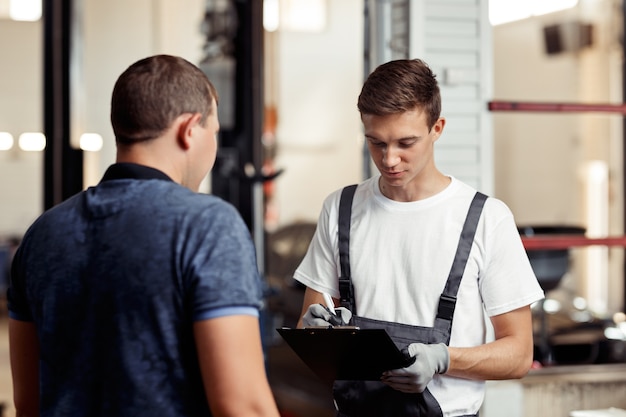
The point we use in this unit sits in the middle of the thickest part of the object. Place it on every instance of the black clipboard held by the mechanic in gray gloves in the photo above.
(345, 353)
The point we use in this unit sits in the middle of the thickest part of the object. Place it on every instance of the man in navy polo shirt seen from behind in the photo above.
(140, 296)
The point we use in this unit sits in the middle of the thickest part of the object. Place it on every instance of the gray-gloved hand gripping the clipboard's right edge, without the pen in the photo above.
(429, 360)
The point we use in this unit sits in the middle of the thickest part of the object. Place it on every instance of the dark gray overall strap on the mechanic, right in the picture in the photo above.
(447, 302)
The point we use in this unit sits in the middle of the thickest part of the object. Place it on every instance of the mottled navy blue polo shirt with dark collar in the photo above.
(114, 278)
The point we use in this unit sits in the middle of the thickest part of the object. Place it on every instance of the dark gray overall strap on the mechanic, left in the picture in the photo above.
(346, 290)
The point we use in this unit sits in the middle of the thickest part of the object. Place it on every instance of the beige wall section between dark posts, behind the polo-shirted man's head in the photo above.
(118, 33)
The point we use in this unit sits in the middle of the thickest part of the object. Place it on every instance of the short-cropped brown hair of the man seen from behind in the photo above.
(154, 91)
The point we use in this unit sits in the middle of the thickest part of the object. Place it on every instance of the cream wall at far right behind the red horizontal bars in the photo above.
(540, 157)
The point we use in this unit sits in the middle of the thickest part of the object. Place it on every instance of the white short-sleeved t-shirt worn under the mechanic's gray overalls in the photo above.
(400, 258)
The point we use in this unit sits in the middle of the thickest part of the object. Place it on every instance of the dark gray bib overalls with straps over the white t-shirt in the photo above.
(373, 398)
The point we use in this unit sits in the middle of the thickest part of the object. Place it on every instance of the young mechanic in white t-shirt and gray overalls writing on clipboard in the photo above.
(427, 254)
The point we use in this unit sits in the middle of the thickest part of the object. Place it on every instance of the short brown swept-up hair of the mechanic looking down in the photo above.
(399, 86)
